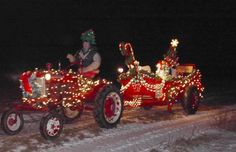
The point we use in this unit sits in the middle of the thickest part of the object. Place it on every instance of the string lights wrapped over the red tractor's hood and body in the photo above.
(68, 89)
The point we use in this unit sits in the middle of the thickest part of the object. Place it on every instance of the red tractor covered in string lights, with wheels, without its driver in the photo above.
(63, 95)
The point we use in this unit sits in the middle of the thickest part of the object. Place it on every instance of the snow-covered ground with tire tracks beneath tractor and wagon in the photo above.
(213, 128)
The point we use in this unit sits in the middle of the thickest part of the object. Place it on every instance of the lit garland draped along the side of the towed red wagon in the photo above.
(168, 93)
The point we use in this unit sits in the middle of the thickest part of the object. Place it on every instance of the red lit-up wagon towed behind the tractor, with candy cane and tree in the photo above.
(170, 83)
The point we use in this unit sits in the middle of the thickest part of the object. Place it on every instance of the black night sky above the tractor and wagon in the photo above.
(42, 31)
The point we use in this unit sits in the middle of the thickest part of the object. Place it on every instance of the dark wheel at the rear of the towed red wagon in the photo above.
(191, 100)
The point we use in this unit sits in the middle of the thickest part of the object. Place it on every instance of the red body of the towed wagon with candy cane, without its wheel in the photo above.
(146, 89)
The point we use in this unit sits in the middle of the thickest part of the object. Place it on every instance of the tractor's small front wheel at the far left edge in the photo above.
(12, 122)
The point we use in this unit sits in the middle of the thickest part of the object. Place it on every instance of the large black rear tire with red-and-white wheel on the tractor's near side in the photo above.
(108, 107)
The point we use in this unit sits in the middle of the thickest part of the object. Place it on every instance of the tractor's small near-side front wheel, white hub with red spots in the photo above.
(51, 126)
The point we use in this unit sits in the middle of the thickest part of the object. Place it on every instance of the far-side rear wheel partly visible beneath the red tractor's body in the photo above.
(71, 115)
